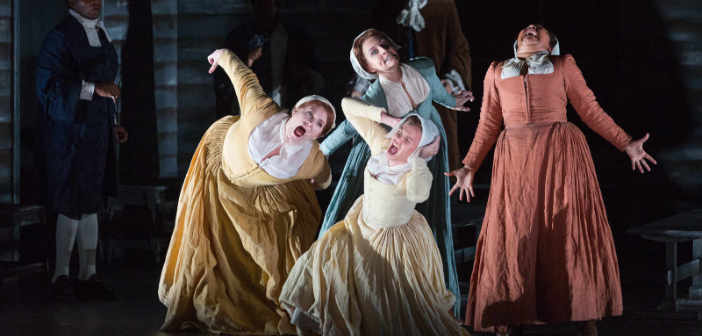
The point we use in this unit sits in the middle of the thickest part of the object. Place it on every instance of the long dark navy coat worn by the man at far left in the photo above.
(77, 134)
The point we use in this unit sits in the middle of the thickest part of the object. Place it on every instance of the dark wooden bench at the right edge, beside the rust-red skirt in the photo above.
(681, 228)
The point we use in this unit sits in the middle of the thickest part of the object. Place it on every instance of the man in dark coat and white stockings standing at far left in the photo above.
(76, 70)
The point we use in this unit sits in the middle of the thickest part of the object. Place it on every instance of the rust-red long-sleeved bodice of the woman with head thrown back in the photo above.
(537, 99)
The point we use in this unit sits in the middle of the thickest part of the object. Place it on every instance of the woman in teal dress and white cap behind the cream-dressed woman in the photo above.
(400, 88)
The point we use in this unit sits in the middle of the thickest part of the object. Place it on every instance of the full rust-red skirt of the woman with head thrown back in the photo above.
(545, 252)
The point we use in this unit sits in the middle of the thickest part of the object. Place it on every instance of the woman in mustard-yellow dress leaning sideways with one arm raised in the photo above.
(247, 210)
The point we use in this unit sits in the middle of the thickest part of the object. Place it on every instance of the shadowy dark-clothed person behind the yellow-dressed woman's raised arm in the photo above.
(278, 54)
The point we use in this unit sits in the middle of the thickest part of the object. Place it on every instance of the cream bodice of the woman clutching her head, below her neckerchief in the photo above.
(385, 205)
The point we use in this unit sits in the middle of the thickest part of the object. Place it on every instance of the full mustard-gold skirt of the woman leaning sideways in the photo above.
(232, 247)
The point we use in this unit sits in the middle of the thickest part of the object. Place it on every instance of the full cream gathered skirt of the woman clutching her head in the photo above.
(362, 280)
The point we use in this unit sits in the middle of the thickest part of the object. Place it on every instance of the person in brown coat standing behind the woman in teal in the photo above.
(432, 29)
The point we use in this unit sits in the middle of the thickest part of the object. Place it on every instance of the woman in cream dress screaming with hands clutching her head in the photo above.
(379, 271)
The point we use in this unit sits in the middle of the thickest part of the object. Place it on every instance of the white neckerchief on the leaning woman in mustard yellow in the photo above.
(266, 137)
